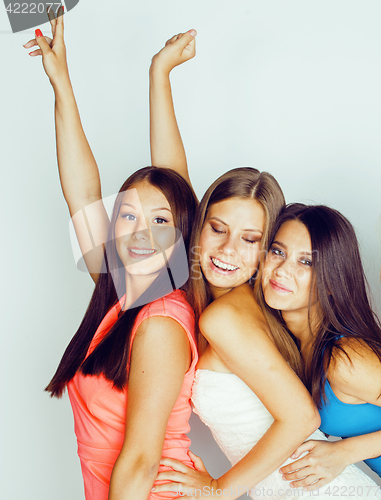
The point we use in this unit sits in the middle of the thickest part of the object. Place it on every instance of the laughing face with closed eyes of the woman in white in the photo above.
(230, 243)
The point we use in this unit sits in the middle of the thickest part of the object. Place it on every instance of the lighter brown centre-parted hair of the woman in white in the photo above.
(244, 182)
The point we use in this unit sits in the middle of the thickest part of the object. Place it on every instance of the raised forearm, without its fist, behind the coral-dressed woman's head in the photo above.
(167, 149)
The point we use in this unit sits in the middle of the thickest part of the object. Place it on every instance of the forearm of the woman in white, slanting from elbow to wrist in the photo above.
(269, 453)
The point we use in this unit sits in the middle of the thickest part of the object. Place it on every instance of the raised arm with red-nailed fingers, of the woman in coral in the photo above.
(78, 170)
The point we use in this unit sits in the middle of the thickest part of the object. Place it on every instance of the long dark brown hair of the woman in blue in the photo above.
(339, 288)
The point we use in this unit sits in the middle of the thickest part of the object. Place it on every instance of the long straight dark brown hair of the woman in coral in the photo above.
(111, 354)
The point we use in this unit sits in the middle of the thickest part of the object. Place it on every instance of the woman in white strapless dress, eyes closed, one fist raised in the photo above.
(246, 388)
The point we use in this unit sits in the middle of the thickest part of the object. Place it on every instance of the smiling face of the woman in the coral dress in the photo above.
(144, 229)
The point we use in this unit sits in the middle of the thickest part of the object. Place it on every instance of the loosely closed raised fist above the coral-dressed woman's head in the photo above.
(177, 50)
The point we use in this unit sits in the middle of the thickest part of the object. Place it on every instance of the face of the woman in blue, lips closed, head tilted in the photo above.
(287, 273)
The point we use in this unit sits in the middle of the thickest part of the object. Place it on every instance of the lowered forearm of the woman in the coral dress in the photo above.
(132, 478)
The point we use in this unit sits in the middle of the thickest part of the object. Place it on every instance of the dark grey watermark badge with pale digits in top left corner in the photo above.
(27, 15)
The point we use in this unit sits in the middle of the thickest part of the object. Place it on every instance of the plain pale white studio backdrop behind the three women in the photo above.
(287, 86)
